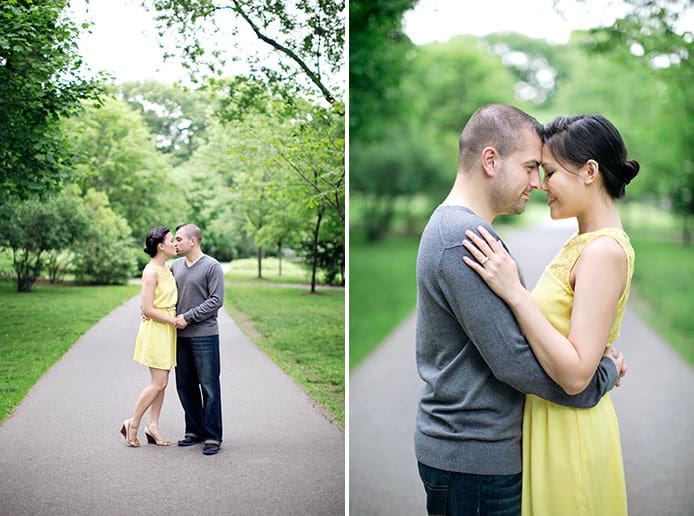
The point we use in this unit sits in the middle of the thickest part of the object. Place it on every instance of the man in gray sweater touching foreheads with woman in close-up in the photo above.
(471, 355)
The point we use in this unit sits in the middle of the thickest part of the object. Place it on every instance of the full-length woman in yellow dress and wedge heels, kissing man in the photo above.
(155, 346)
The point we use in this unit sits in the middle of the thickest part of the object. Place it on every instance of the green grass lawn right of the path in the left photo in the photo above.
(304, 334)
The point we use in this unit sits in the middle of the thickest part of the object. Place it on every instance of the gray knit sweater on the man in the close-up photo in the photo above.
(474, 360)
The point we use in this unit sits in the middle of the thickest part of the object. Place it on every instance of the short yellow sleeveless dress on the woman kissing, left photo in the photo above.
(156, 341)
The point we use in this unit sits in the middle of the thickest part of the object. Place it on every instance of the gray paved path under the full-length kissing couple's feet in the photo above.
(61, 453)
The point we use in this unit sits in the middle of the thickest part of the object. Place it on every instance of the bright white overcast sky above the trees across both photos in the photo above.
(124, 37)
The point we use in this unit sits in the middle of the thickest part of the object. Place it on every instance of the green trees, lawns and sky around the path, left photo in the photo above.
(245, 138)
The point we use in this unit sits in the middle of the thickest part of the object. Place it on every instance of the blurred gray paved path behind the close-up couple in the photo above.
(655, 408)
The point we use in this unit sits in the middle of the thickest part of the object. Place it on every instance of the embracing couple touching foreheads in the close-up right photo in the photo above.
(514, 416)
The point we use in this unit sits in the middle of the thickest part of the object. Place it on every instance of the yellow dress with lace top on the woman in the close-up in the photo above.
(572, 458)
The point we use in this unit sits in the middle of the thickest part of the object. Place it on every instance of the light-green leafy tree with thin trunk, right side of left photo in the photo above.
(297, 151)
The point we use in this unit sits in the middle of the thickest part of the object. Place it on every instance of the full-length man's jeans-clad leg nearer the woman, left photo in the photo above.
(188, 388)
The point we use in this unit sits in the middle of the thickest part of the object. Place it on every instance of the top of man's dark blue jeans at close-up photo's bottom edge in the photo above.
(460, 494)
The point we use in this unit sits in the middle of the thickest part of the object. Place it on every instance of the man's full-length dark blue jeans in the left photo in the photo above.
(197, 383)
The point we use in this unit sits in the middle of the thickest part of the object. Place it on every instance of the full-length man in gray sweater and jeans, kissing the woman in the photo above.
(200, 282)
